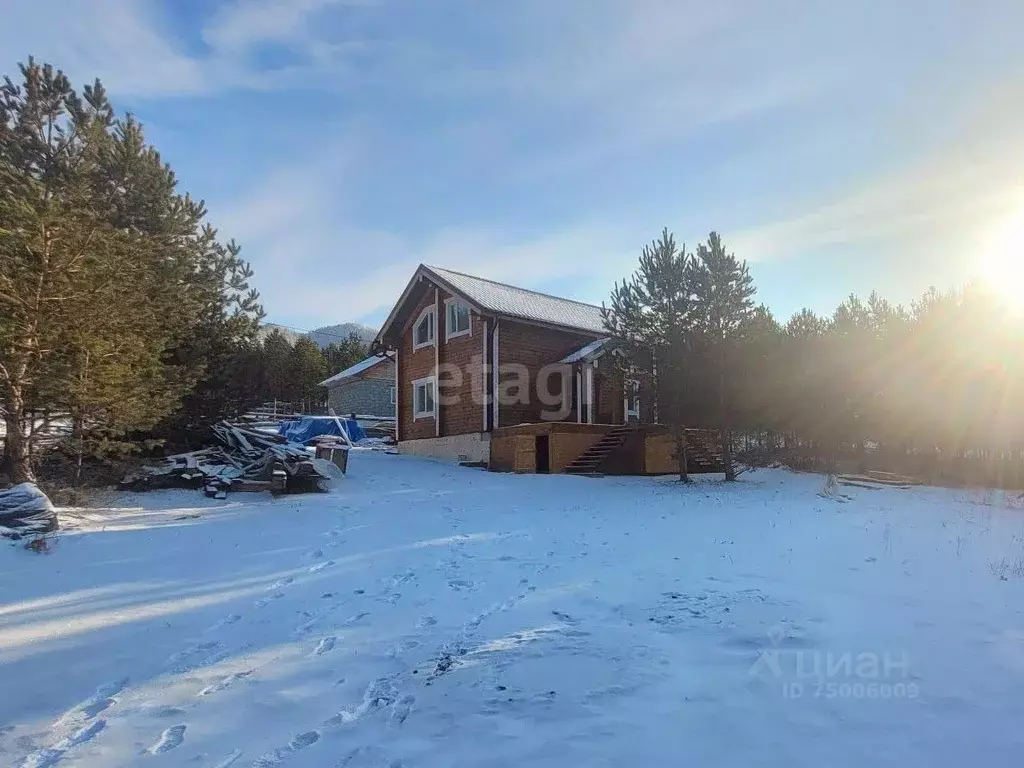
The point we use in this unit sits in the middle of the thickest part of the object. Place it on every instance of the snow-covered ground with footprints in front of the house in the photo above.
(430, 616)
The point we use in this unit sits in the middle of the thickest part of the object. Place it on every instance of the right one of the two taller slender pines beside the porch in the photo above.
(724, 302)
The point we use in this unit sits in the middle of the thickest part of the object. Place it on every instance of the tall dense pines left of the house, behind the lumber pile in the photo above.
(123, 311)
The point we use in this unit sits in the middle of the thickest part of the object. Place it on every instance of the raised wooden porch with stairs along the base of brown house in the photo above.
(601, 450)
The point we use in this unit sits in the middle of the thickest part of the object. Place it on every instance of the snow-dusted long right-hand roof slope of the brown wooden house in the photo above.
(519, 303)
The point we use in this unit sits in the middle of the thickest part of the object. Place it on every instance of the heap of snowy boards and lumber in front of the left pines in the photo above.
(246, 460)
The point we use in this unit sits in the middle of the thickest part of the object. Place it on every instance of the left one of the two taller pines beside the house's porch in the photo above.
(652, 318)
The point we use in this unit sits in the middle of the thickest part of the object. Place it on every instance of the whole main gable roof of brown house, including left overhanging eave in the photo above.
(491, 297)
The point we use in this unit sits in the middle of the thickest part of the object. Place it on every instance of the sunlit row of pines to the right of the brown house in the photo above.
(934, 389)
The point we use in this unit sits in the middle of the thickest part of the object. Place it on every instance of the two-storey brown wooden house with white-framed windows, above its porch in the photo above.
(465, 343)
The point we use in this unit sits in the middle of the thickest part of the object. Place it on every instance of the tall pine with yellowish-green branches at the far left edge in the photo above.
(59, 257)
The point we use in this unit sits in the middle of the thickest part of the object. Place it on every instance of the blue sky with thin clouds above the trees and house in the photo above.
(837, 147)
